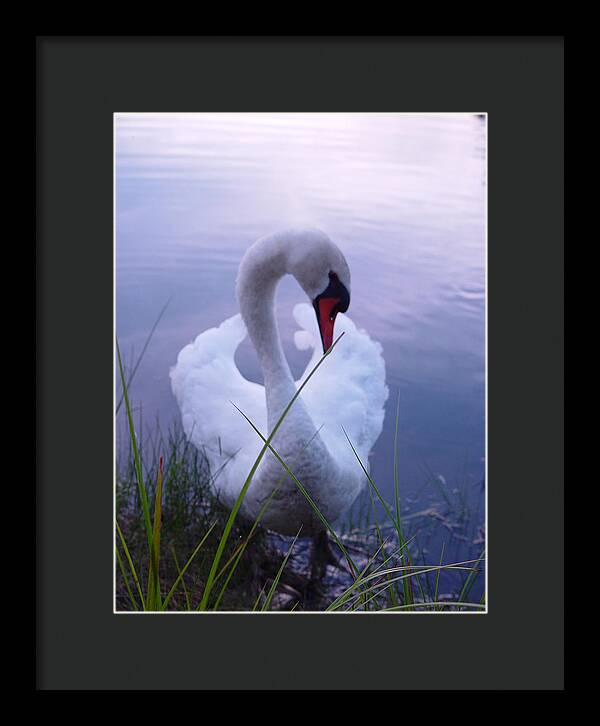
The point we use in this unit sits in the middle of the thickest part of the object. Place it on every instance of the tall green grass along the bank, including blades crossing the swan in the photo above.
(230, 564)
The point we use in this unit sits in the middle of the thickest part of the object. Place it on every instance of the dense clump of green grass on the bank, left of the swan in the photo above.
(191, 523)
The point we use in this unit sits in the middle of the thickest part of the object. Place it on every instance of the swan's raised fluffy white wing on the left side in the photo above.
(205, 381)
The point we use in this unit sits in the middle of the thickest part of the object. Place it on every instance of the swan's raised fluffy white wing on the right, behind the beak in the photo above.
(349, 388)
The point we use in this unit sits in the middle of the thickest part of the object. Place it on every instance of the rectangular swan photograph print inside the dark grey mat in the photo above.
(300, 363)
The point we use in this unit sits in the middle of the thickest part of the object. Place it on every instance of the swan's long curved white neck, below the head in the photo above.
(260, 272)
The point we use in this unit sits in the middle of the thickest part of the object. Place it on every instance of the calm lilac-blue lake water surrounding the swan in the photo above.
(404, 197)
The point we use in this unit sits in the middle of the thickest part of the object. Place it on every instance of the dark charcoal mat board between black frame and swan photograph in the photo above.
(81, 82)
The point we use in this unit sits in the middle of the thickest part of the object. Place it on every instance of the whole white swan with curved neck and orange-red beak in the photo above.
(347, 391)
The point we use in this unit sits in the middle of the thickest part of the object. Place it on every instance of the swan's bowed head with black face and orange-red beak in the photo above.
(323, 273)
